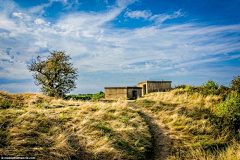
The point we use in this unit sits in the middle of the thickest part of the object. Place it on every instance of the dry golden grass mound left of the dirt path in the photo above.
(49, 128)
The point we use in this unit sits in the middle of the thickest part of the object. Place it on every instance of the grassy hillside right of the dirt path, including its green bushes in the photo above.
(199, 126)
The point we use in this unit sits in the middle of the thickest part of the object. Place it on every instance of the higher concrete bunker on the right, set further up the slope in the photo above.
(154, 86)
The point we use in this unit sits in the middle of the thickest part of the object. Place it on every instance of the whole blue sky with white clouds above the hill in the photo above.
(121, 42)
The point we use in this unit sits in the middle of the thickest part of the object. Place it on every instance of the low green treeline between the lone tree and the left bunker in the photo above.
(93, 97)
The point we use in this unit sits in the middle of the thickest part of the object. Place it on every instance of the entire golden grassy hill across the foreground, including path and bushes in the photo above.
(180, 124)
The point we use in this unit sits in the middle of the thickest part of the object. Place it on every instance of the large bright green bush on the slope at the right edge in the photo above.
(229, 112)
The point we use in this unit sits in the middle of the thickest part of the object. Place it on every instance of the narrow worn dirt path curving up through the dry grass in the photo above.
(161, 142)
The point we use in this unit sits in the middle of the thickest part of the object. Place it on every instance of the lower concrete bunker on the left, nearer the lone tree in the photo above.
(123, 92)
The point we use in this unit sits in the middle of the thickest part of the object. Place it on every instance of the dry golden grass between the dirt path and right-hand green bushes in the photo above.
(187, 118)
